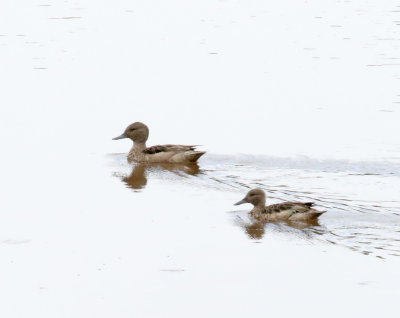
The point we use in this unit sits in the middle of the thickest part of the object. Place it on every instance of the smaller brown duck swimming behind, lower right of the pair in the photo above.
(285, 211)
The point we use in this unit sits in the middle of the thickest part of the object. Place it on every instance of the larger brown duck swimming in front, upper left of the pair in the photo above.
(139, 133)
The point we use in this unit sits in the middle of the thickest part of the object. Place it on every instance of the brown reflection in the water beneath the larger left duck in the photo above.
(137, 179)
